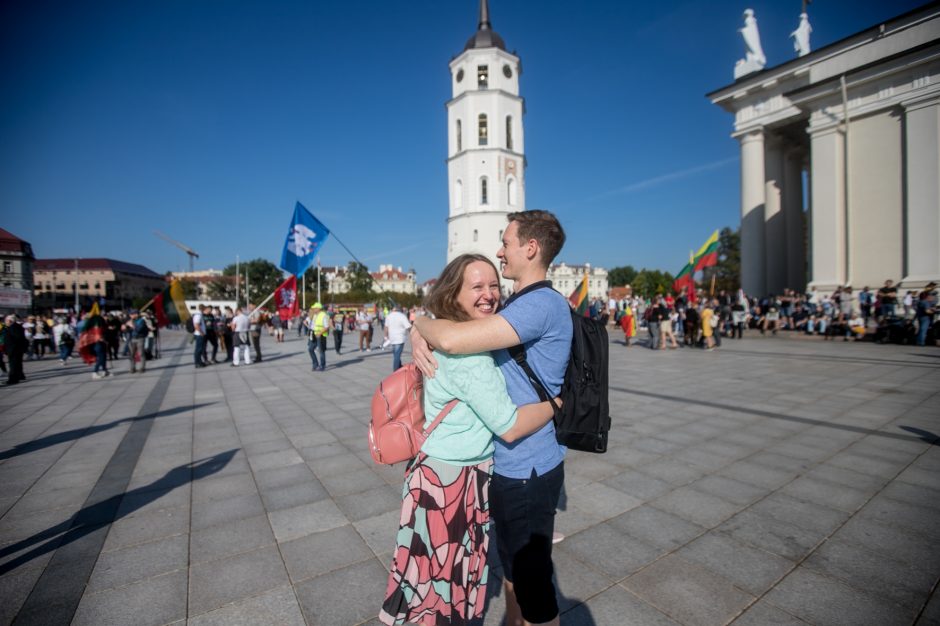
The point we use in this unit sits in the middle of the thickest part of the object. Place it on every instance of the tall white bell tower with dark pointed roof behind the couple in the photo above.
(486, 143)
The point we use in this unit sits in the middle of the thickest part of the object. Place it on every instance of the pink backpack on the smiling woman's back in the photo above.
(396, 431)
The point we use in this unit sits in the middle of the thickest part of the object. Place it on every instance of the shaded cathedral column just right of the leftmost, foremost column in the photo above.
(775, 232)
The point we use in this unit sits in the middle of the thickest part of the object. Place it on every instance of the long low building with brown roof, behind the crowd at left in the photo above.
(115, 283)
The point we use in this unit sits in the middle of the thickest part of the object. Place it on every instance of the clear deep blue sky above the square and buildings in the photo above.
(208, 119)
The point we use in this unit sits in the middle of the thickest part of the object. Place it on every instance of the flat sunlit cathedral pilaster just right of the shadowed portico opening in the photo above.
(828, 214)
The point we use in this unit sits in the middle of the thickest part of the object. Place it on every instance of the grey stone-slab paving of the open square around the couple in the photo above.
(773, 481)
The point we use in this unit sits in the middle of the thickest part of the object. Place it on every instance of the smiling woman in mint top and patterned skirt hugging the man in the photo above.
(439, 567)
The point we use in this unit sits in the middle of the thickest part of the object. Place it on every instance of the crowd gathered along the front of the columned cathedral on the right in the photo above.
(882, 315)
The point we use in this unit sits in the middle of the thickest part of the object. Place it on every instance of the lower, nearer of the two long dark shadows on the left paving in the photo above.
(94, 516)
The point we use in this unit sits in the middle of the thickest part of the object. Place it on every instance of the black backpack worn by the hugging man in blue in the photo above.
(583, 420)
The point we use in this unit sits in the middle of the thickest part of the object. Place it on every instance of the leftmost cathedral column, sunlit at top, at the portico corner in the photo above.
(752, 213)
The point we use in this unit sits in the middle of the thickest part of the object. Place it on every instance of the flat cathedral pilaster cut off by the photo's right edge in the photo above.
(922, 188)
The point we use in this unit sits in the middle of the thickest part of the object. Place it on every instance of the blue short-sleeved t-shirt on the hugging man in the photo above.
(542, 319)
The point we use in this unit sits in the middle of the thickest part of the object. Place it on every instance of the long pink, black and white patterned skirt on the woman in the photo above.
(439, 570)
